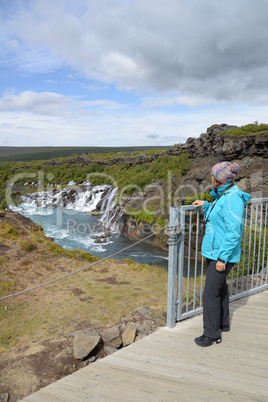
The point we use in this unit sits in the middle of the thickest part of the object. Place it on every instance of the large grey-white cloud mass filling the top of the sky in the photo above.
(214, 49)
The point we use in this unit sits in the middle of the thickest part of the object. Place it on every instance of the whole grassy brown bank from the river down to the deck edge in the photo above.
(36, 327)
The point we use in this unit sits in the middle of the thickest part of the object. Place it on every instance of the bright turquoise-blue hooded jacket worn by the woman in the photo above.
(224, 227)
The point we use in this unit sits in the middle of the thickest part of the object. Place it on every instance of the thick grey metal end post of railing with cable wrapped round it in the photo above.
(173, 233)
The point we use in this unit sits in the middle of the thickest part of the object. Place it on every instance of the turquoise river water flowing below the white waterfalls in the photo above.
(74, 230)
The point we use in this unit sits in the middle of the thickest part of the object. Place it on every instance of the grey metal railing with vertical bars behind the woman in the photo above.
(187, 268)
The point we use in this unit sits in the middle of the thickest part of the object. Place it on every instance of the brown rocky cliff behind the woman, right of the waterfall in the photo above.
(250, 152)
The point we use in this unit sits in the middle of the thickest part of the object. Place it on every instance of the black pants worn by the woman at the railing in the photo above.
(215, 300)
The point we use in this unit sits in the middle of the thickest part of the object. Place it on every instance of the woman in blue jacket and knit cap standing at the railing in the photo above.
(224, 221)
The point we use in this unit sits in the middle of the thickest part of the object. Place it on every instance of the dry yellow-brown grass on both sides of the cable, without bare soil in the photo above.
(100, 295)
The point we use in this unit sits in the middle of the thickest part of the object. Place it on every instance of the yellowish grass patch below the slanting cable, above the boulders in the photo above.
(27, 318)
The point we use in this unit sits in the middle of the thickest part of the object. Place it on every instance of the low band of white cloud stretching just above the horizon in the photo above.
(125, 127)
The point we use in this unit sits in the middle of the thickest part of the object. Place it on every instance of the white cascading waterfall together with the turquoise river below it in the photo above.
(66, 215)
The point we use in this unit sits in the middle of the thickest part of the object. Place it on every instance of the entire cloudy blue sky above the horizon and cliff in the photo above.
(129, 72)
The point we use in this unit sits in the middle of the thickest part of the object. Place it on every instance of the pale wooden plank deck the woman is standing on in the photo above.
(168, 365)
